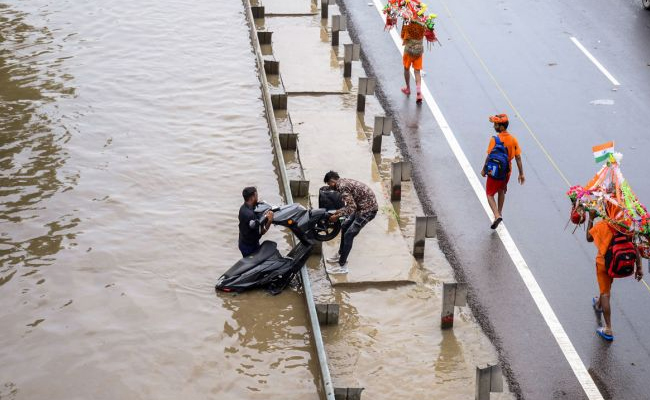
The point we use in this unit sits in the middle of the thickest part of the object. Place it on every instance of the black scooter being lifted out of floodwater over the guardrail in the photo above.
(267, 268)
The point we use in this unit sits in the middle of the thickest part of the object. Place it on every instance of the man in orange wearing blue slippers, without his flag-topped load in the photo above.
(602, 235)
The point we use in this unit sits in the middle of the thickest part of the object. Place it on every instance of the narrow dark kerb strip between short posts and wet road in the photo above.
(446, 245)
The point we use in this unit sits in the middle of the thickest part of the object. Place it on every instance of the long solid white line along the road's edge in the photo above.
(557, 330)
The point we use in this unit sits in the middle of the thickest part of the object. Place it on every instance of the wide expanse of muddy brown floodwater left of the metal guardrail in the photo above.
(127, 130)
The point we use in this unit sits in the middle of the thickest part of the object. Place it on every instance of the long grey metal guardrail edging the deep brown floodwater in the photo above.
(326, 378)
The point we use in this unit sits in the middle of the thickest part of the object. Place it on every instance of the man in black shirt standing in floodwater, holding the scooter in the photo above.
(250, 233)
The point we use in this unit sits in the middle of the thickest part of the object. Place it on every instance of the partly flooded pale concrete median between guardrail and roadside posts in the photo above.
(388, 339)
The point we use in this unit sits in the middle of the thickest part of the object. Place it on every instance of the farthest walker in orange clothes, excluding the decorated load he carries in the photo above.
(412, 39)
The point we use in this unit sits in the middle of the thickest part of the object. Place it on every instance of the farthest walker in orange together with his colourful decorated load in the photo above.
(417, 25)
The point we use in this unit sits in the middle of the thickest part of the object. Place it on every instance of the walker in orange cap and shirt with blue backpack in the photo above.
(502, 149)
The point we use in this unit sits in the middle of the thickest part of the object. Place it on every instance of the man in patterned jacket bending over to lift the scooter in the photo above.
(360, 208)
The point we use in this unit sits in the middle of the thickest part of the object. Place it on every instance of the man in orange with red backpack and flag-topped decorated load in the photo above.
(618, 225)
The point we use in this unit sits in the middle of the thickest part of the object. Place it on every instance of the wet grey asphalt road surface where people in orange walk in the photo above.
(497, 55)
